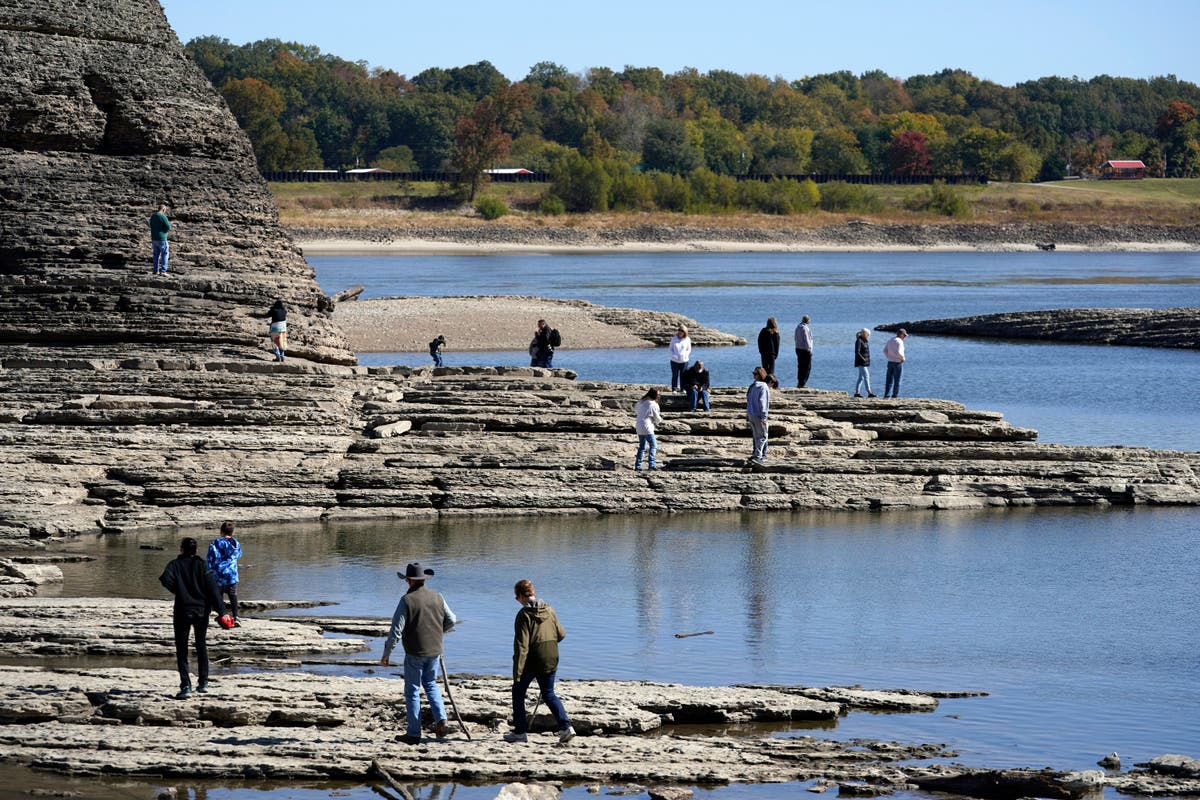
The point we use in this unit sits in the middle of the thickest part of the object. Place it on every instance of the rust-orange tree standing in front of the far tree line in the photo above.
(483, 137)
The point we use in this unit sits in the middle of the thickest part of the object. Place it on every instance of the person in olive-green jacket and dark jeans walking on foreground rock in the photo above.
(536, 637)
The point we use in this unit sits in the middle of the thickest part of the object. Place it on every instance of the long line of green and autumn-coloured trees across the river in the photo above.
(307, 110)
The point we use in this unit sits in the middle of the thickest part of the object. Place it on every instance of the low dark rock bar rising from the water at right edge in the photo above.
(1169, 328)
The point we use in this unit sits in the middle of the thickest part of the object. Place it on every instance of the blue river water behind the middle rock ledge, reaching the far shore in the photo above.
(1071, 394)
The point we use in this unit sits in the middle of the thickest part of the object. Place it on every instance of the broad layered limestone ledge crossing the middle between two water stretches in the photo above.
(94, 443)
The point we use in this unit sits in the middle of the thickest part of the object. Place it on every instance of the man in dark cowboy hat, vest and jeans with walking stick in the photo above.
(422, 618)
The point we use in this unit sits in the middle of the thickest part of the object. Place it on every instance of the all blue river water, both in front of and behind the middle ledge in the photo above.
(1081, 624)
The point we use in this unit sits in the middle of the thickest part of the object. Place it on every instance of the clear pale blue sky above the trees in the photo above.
(1007, 43)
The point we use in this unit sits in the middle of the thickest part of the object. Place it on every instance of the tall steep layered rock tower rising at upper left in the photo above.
(103, 117)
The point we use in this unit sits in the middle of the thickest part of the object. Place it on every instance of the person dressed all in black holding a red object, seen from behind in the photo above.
(196, 593)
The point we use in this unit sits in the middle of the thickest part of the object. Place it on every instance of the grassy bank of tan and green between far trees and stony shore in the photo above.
(367, 204)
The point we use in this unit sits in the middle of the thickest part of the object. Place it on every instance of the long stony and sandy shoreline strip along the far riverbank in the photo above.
(850, 236)
